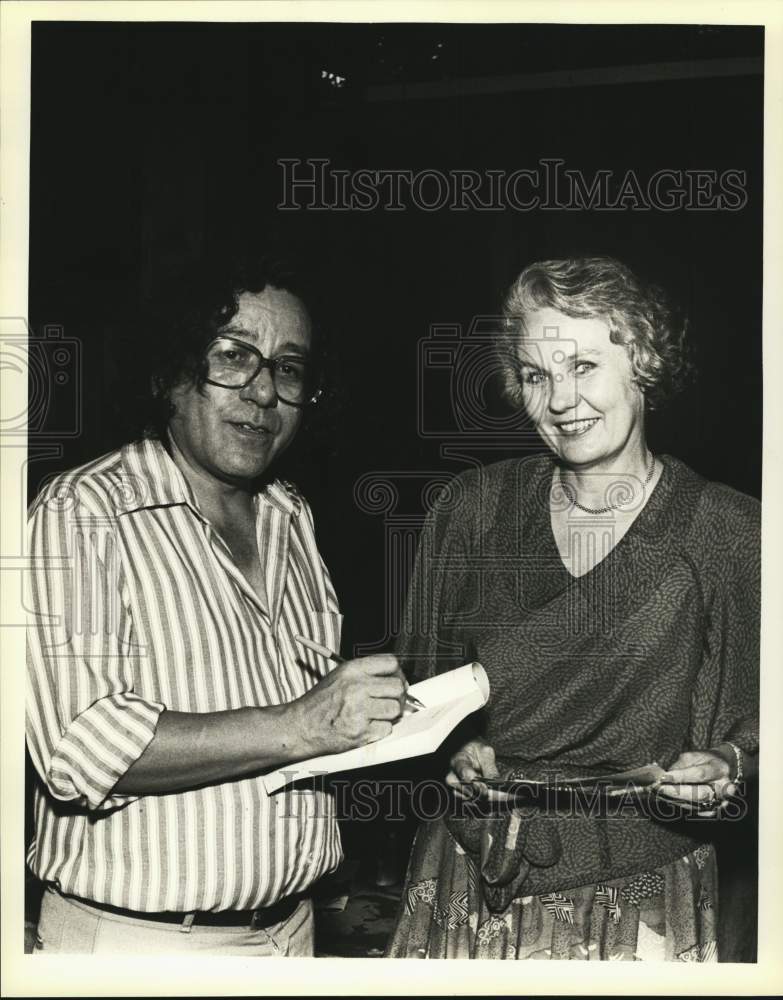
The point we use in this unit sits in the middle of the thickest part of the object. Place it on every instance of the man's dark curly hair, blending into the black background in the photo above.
(160, 342)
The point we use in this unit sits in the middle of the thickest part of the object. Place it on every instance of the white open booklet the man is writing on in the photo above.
(447, 699)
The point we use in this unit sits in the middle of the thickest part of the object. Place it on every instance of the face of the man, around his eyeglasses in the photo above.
(233, 435)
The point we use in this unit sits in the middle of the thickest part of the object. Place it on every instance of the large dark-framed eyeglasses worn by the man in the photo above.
(233, 364)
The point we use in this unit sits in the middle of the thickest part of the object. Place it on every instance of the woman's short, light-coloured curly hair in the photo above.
(639, 316)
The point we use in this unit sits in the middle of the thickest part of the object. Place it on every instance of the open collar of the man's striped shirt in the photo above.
(152, 479)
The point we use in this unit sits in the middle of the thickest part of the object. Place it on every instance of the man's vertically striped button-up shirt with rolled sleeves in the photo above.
(137, 607)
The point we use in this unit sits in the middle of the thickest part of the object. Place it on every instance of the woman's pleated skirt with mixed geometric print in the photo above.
(666, 914)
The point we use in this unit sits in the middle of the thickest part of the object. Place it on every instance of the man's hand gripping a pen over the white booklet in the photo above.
(353, 705)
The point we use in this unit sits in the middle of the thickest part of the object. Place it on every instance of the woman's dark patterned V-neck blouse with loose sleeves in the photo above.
(653, 652)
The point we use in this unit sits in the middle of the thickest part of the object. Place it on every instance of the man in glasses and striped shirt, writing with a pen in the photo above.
(171, 579)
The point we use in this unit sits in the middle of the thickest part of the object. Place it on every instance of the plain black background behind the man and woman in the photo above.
(155, 143)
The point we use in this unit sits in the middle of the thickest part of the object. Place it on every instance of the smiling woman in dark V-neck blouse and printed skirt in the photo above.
(612, 596)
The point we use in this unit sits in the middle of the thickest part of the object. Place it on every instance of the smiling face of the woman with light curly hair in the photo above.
(578, 389)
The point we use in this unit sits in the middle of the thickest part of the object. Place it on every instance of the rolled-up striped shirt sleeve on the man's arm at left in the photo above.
(86, 725)
